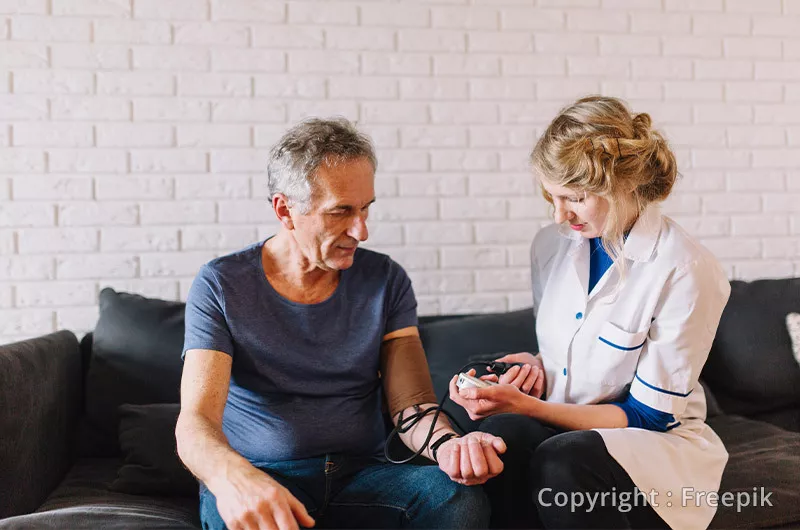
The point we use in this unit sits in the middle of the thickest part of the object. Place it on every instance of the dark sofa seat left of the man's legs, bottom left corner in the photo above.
(84, 501)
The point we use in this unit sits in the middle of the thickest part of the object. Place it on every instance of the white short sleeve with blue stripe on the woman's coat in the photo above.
(680, 337)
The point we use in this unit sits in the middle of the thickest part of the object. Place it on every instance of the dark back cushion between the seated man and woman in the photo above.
(453, 342)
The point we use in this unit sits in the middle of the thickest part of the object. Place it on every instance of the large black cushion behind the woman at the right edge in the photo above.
(751, 368)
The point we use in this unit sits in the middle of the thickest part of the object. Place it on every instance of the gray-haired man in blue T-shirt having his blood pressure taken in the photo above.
(291, 346)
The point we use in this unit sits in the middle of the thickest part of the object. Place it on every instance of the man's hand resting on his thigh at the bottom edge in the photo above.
(252, 500)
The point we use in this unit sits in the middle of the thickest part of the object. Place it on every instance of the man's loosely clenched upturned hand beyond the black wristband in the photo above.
(471, 459)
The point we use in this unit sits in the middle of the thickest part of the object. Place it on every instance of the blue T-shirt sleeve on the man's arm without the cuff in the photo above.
(206, 326)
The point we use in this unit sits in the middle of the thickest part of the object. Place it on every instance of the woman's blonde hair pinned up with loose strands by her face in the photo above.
(597, 145)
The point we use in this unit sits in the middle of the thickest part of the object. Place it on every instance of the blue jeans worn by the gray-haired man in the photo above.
(355, 492)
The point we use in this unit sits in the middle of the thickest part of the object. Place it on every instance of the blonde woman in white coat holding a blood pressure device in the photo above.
(606, 424)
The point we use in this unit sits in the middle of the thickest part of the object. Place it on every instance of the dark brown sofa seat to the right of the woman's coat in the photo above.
(760, 455)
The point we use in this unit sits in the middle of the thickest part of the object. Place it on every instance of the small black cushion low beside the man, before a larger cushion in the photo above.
(147, 441)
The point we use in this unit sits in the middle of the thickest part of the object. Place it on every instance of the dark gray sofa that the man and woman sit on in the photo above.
(61, 459)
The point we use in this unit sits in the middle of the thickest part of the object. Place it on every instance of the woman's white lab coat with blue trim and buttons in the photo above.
(651, 335)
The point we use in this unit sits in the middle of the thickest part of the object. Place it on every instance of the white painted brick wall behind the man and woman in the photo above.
(134, 133)
